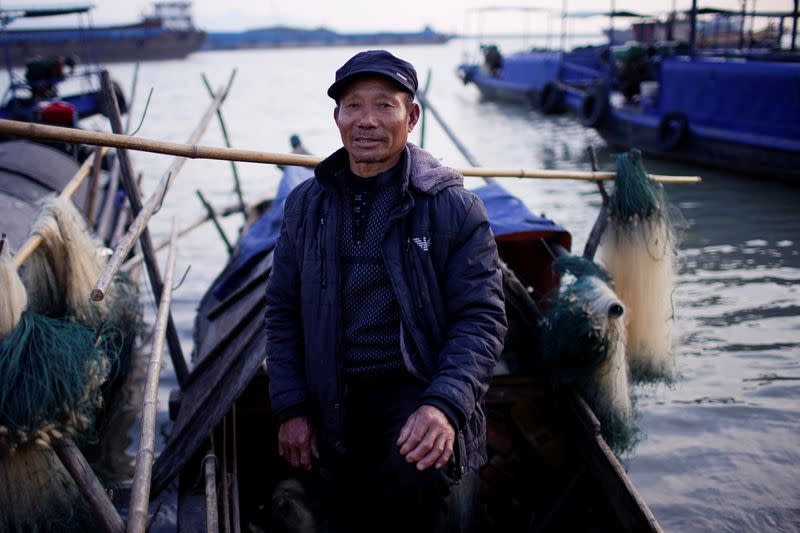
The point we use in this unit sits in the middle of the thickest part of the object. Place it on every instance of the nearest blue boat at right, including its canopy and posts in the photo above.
(727, 108)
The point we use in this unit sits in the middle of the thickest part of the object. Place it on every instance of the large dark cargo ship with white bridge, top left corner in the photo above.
(168, 33)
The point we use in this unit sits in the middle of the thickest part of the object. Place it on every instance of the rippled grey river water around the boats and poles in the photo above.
(720, 449)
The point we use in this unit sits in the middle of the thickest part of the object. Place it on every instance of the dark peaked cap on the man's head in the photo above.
(377, 62)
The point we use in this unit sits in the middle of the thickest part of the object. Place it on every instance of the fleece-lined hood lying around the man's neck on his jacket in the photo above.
(422, 171)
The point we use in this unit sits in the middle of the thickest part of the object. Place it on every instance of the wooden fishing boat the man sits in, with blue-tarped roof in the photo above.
(549, 467)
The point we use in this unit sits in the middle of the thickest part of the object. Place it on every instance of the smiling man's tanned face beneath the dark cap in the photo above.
(374, 119)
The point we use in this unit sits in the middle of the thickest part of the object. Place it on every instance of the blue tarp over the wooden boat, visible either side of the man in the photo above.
(507, 214)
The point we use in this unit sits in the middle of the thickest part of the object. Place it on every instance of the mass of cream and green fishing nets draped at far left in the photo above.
(57, 363)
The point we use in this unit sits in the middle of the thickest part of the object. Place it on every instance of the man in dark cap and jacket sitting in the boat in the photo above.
(385, 314)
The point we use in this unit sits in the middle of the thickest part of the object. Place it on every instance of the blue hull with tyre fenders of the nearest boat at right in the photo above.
(737, 114)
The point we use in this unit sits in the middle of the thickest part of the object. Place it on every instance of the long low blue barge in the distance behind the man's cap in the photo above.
(286, 37)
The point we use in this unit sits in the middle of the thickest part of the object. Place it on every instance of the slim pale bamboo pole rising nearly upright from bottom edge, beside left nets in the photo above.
(140, 492)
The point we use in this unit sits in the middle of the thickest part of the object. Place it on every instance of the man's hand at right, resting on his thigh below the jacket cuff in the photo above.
(427, 438)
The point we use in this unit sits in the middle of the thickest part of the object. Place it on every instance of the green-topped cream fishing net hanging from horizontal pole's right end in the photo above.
(638, 249)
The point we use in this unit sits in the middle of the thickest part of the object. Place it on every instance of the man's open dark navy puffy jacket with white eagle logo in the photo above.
(442, 260)
